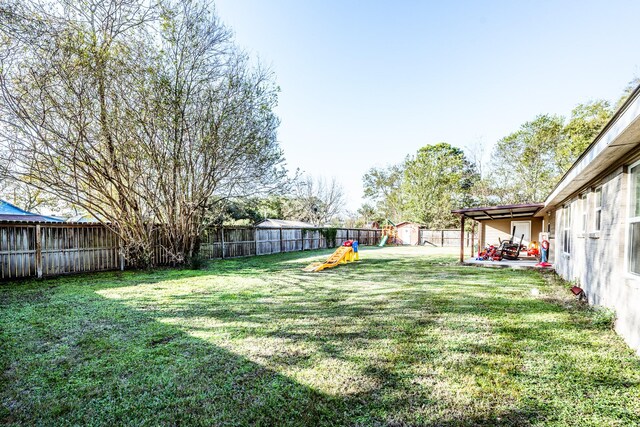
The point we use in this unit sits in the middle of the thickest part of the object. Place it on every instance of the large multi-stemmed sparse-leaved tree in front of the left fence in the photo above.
(148, 117)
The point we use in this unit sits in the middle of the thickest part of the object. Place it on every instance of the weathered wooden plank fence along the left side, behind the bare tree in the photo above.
(52, 249)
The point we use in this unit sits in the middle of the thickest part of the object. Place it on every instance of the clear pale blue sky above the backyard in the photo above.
(365, 83)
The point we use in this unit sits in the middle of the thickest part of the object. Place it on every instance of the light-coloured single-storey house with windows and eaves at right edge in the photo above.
(593, 220)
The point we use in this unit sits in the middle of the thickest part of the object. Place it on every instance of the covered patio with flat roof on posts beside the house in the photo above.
(499, 223)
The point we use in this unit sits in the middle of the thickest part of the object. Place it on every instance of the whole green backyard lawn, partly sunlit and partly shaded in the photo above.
(405, 337)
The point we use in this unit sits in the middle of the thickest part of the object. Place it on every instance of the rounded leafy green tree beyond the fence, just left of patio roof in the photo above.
(436, 180)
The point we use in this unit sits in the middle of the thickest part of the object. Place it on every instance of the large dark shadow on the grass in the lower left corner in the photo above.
(102, 363)
